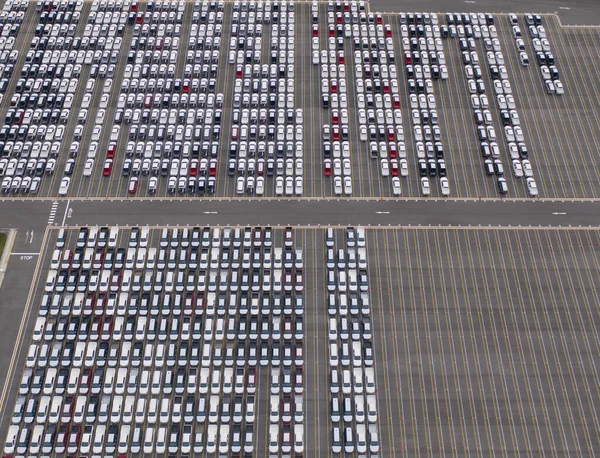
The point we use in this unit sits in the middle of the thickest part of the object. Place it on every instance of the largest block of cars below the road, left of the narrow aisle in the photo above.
(108, 374)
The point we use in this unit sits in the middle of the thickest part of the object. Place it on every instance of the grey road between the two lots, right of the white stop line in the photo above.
(334, 213)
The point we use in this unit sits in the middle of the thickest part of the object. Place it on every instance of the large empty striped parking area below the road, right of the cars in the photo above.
(489, 337)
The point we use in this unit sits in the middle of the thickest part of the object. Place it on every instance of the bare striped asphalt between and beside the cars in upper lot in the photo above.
(561, 132)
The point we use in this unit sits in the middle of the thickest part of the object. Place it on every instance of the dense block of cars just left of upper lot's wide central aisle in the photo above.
(267, 130)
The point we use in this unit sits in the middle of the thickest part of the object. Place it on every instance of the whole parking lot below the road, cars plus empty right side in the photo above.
(482, 341)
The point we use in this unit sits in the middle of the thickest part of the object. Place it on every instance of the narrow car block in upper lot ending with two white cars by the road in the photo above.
(423, 58)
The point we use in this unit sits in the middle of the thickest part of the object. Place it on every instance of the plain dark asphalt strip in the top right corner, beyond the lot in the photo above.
(571, 12)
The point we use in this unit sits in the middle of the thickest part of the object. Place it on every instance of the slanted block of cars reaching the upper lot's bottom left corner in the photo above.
(35, 123)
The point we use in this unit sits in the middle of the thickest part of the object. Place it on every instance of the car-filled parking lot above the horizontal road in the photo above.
(220, 115)
